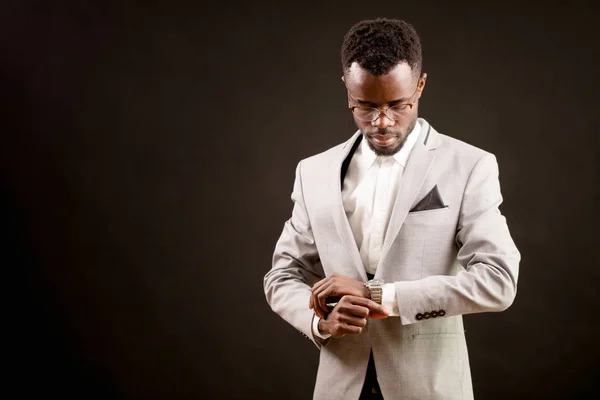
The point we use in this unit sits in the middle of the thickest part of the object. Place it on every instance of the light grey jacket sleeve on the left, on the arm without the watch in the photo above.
(296, 267)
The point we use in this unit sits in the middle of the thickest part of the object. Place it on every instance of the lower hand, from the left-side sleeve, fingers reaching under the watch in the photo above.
(350, 315)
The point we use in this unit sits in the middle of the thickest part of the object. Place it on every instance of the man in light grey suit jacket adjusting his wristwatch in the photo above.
(394, 235)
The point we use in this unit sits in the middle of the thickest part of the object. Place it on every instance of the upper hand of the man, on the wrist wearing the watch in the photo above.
(331, 289)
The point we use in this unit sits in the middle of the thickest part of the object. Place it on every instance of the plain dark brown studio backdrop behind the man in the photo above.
(148, 156)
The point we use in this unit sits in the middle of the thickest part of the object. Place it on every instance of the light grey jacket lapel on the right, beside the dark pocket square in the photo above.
(419, 163)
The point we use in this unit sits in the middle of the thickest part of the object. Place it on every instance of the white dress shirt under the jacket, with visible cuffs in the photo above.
(369, 193)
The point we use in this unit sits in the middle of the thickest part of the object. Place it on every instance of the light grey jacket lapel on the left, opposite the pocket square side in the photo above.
(339, 214)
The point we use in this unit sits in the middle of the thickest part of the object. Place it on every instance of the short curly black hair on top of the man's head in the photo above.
(378, 45)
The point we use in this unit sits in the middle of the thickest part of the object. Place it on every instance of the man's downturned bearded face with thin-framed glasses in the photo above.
(399, 87)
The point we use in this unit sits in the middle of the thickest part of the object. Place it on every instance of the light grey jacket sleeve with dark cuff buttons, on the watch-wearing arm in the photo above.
(486, 250)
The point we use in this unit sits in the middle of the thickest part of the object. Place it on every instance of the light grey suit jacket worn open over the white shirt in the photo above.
(455, 260)
